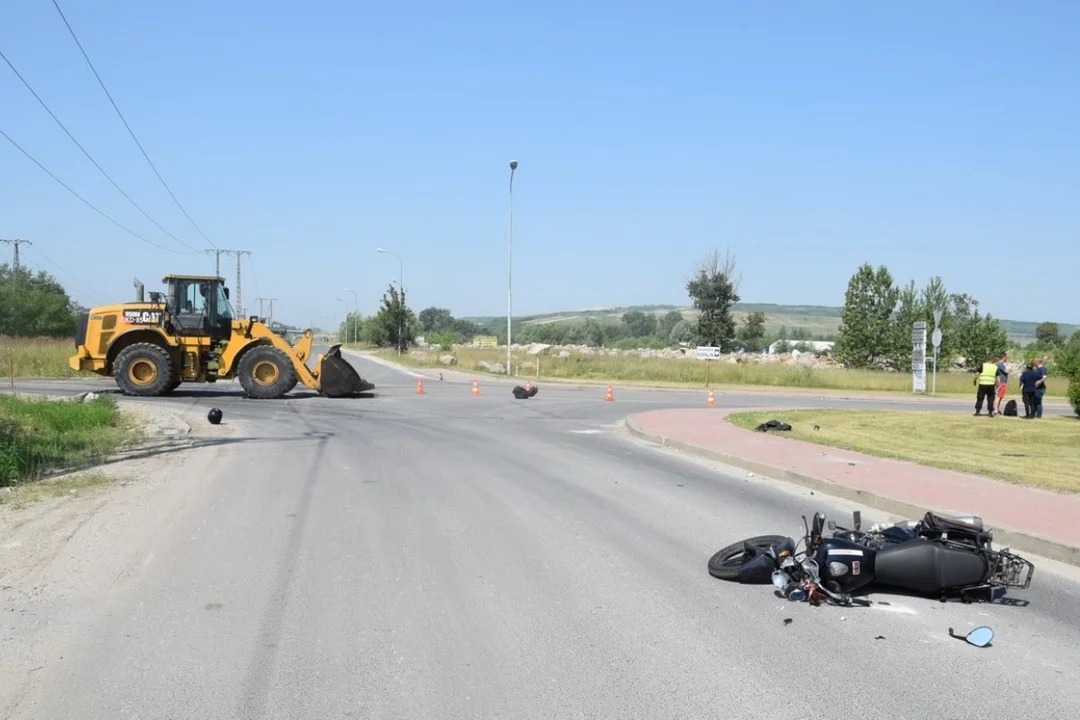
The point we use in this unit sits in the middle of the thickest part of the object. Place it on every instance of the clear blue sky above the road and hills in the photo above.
(937, 139)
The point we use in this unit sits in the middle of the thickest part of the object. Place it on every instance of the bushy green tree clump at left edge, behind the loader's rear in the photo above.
(34, 305)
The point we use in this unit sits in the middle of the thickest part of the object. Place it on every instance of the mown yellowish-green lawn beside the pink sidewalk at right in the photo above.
(1043, 454)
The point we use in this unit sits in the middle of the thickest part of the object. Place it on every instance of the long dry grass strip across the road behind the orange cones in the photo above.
(674, 373)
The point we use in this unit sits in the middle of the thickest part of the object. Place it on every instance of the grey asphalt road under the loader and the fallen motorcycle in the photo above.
(451, 556)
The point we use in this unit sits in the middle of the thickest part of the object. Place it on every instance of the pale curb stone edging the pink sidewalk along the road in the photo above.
(1003, 537)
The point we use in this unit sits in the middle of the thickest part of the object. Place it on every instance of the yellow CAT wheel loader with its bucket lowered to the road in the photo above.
(188, 335)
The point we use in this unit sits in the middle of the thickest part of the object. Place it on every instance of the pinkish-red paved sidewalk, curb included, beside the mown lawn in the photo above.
(1027, 519)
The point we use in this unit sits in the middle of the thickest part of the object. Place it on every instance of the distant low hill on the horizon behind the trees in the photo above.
(819, 321)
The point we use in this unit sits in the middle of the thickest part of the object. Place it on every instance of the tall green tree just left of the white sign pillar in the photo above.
(867, 336)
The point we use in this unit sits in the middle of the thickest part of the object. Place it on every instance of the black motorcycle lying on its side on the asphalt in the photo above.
(938, 556)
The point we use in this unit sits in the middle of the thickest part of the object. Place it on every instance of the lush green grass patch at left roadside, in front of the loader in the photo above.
(39, 436)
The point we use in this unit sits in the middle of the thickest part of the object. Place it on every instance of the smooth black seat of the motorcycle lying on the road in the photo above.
(925, 566)
